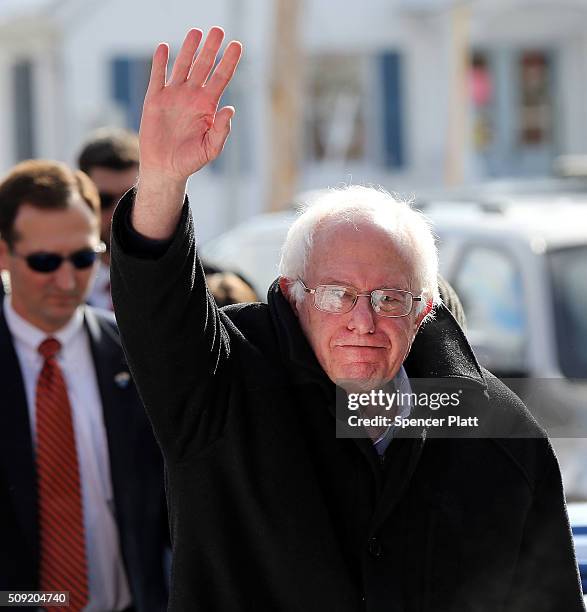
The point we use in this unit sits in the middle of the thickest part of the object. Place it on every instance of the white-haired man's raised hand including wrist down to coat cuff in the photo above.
(181, 127)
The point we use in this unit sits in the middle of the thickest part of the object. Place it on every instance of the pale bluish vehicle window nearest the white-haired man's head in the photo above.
(489, 285)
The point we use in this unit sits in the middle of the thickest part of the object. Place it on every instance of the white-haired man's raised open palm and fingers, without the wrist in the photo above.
(181, 127)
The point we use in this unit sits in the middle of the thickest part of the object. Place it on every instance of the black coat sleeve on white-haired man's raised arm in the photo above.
(175, 340)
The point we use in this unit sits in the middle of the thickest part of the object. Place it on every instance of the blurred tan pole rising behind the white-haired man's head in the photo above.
(285, 104)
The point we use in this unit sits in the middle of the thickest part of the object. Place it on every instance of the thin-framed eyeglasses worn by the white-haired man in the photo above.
(337, 299)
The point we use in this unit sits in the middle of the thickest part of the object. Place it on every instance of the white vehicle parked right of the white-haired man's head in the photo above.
(520, 270)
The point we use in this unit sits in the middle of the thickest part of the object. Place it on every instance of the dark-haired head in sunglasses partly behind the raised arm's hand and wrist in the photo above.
(110, 157)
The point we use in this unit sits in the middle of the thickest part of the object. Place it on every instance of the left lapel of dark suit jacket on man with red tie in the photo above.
(16, 447)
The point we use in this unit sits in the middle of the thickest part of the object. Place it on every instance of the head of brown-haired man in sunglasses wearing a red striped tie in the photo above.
(49, 240)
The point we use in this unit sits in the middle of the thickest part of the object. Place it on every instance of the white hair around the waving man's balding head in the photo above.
(408, 229)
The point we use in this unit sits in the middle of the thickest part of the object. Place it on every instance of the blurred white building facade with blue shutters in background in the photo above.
(377, 92)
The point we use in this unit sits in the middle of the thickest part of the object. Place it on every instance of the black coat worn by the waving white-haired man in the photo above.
(269, 510)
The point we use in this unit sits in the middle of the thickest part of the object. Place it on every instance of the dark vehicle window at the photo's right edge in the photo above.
(568, 269)
